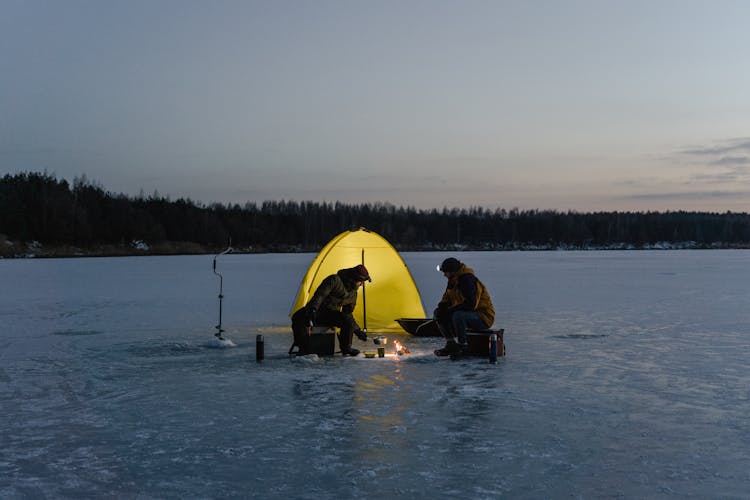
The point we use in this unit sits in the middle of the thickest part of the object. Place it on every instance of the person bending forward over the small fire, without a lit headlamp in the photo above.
(332, 305)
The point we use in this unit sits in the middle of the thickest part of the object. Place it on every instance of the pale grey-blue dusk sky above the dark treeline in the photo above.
(568, 105)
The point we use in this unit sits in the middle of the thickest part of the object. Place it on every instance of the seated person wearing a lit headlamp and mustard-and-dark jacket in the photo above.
(466, 304)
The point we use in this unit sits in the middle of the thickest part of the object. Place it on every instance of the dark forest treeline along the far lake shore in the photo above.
(43, 216)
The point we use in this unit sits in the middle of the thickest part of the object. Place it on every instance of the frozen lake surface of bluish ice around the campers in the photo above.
(627, 376)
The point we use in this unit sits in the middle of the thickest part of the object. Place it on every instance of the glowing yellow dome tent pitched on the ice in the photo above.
(391, 294)
